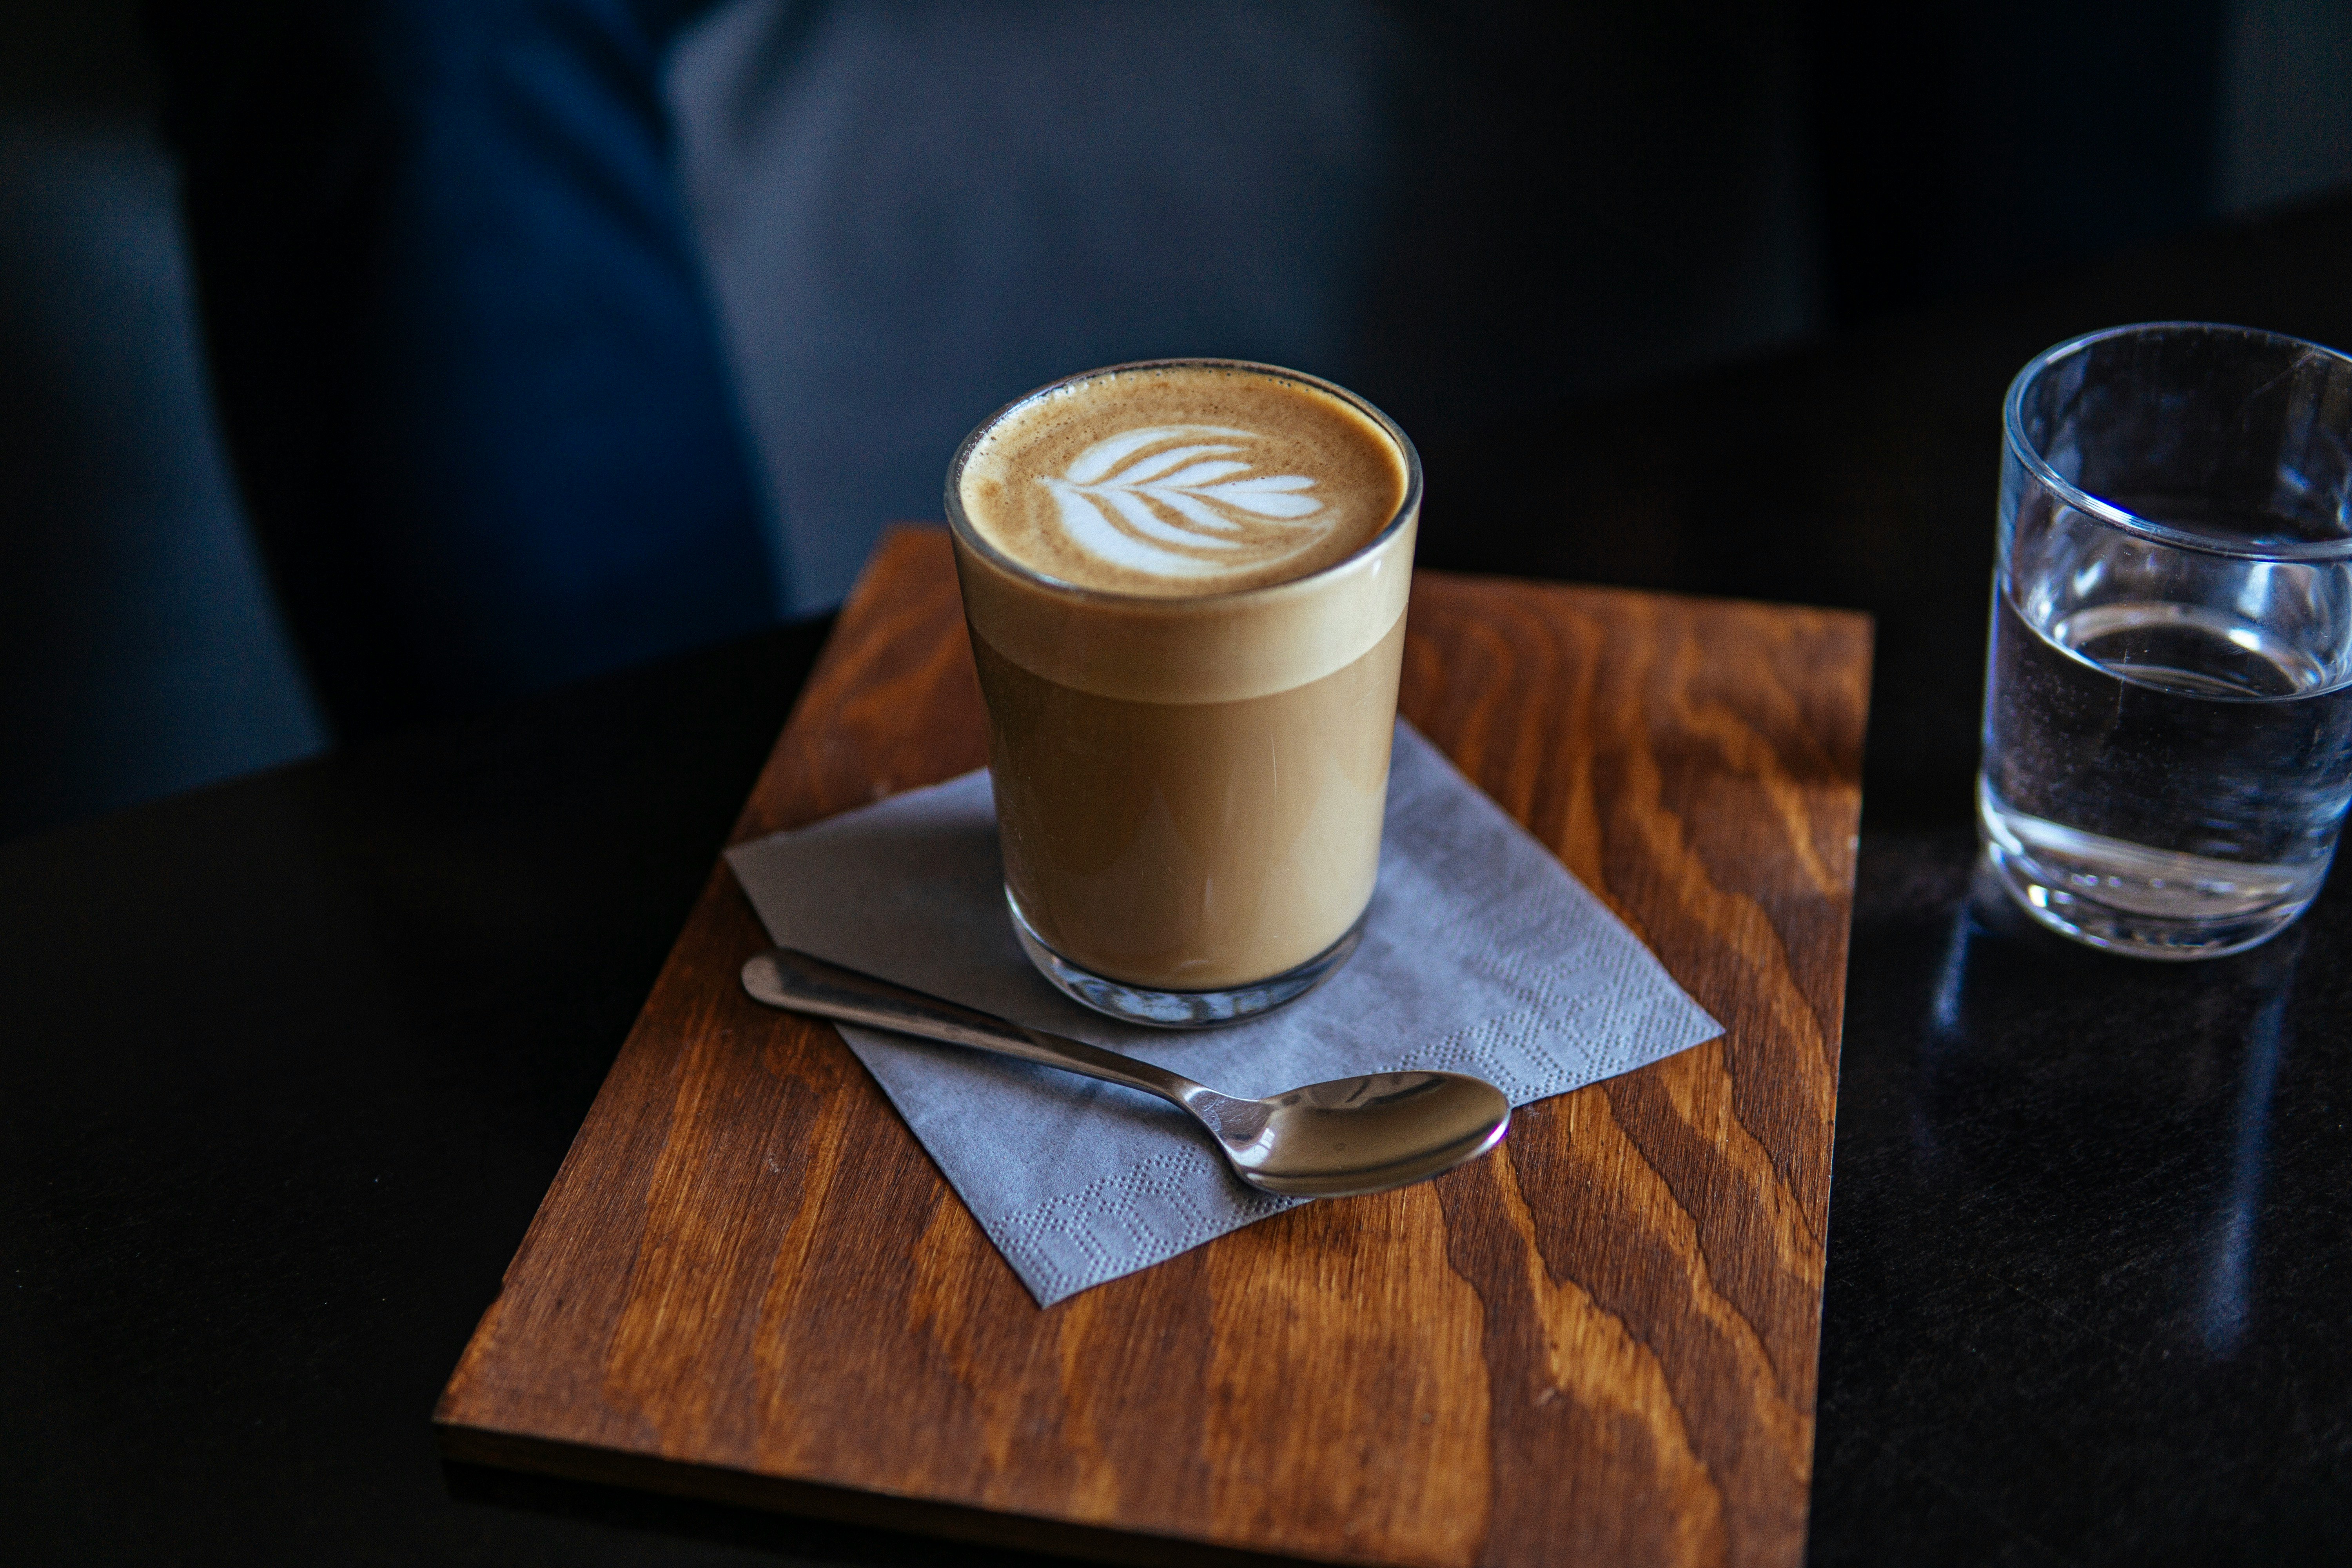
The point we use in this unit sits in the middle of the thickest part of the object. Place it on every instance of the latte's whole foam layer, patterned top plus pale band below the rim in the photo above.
(1318, 589)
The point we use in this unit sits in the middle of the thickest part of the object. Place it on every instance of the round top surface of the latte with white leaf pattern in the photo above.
(1182, 481)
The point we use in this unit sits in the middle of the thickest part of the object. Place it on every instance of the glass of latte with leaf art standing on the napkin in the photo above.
(1187, 598)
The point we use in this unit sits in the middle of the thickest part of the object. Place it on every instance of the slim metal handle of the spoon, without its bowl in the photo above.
(803, 984)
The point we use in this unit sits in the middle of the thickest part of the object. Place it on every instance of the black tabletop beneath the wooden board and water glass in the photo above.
(288, 1064)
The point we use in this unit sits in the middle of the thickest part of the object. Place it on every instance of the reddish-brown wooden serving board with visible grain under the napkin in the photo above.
(1593, 1348)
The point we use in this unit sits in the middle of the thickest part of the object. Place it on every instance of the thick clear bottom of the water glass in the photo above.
(2064, 894)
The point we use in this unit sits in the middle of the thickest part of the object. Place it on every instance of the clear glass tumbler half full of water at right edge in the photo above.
(2170, 690)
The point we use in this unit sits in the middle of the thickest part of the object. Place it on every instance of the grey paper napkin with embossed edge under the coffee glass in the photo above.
(1483, 956)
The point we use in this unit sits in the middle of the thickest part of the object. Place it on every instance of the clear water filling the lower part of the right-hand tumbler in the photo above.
(2165, 770)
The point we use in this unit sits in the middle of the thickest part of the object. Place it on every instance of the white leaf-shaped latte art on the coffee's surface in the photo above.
(1175, 500)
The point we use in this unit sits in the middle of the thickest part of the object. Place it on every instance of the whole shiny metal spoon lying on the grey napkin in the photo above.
(1325, 1141)
